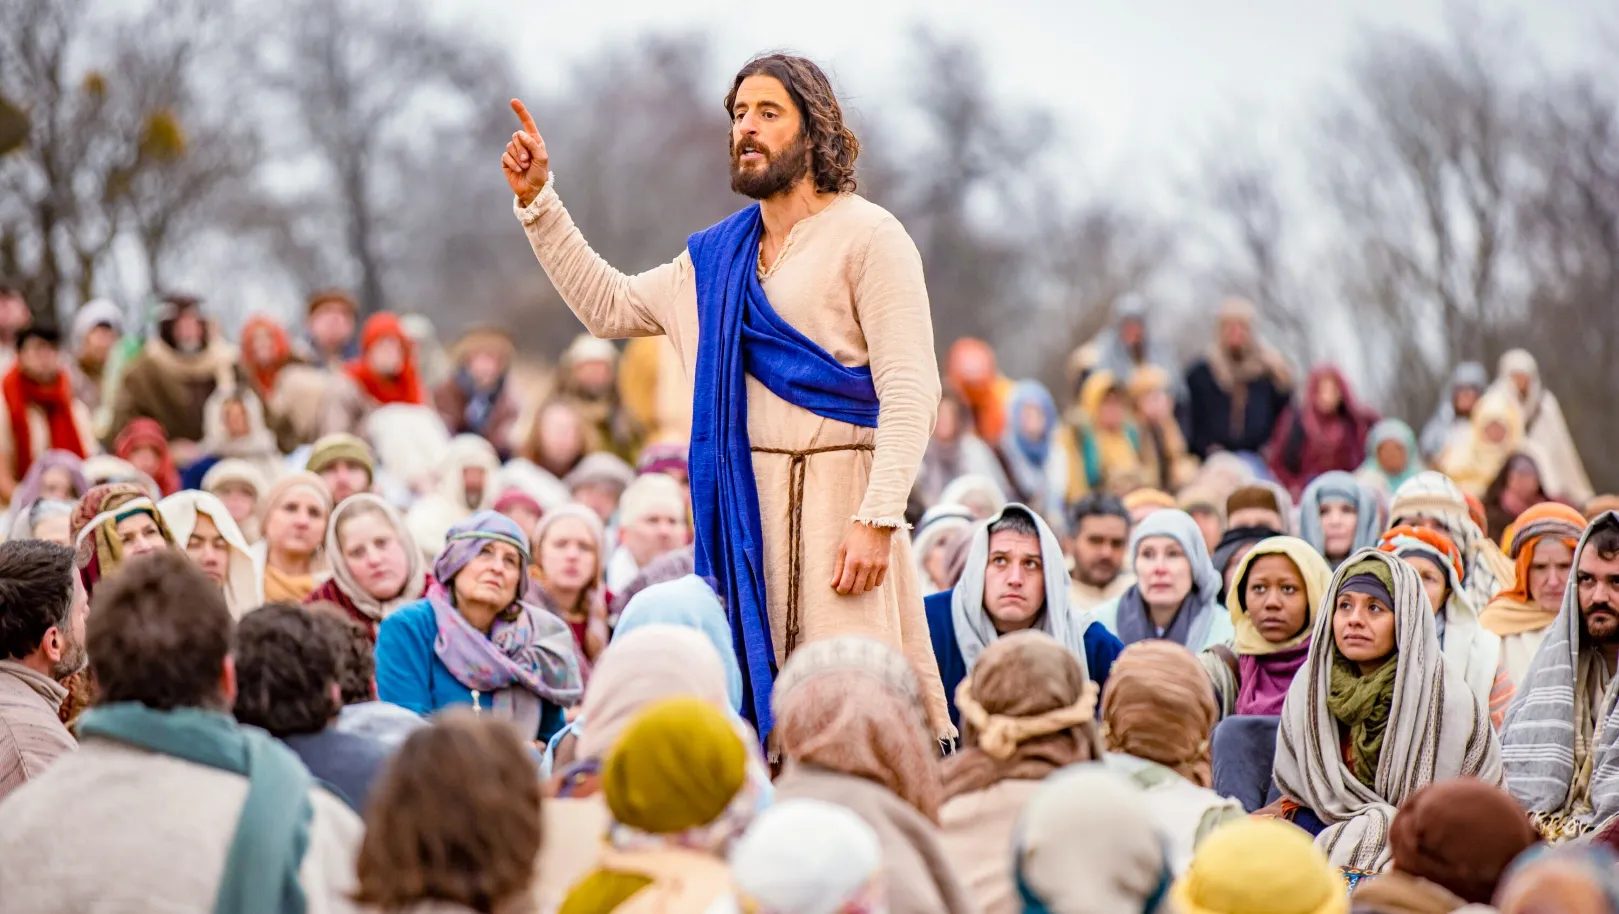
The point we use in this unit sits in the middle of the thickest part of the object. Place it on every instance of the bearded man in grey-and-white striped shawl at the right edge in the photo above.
(1568, 777)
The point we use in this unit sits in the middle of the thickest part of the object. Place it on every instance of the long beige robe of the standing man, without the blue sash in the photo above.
(851, 279)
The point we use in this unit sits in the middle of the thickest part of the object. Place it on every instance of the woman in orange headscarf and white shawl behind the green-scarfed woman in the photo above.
(1472, 650)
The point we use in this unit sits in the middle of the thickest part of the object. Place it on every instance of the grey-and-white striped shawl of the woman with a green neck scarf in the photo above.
(1437, 730)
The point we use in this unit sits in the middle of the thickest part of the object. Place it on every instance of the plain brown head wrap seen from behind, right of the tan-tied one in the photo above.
(1158, 706)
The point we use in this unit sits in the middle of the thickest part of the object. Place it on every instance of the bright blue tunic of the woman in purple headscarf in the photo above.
(412, 675)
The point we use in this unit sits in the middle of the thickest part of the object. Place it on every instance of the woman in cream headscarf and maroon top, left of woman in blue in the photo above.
(376, 565)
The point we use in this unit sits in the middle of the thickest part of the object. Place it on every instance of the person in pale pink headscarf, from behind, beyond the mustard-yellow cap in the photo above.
(642, 669)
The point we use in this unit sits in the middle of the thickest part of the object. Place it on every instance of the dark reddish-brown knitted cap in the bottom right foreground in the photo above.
(1463, 836)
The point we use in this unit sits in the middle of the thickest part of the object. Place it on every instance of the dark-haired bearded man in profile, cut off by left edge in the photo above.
(43, 611)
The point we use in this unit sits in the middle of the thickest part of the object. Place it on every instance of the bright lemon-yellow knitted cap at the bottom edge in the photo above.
(1260, 866)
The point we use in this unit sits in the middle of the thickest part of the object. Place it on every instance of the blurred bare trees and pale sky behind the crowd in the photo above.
(1400, 185)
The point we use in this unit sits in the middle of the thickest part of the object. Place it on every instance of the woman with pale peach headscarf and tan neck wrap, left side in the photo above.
(295, 518)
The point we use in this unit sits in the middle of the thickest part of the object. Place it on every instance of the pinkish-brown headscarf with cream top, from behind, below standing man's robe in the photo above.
(854, 706)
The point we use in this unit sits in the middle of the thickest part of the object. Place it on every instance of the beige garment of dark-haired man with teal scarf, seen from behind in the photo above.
(114, 829)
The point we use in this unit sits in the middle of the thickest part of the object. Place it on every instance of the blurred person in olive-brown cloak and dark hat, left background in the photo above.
(172, 379)
